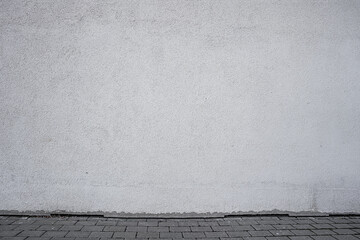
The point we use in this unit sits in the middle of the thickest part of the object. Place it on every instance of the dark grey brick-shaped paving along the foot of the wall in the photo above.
(256, 228)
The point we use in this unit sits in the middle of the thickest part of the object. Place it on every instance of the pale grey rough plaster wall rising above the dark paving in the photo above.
(180, 106)
